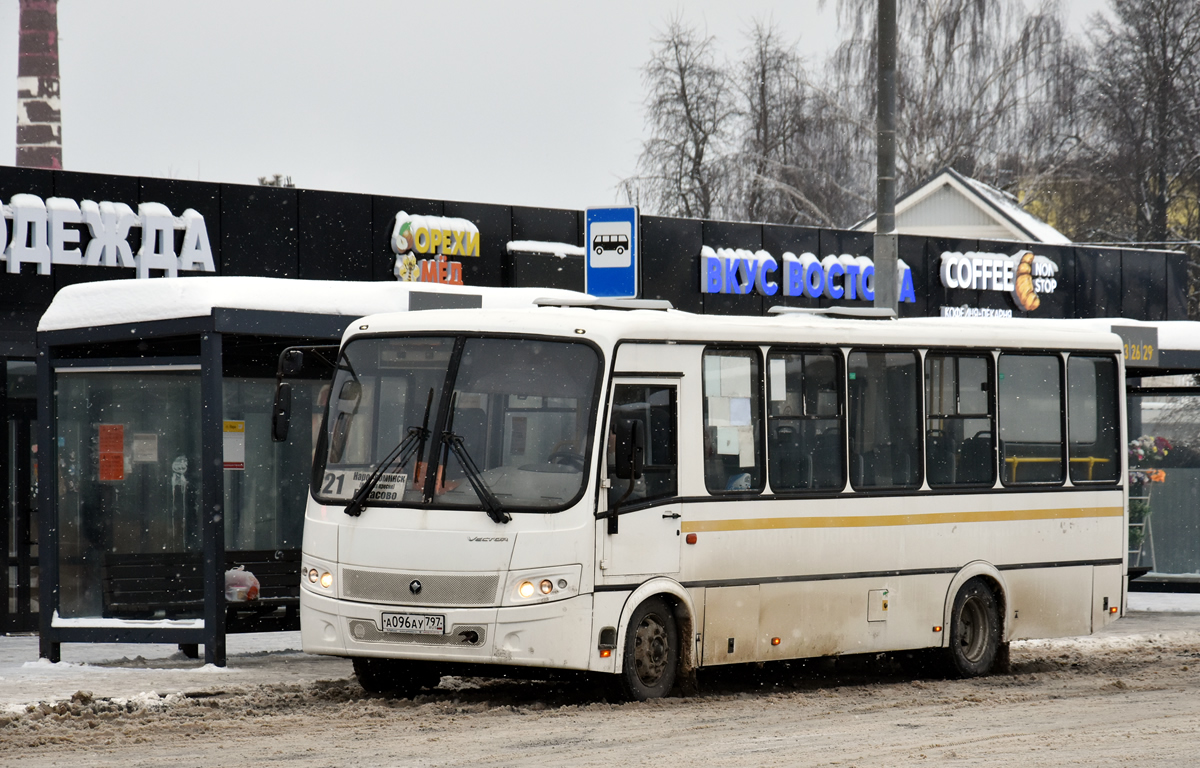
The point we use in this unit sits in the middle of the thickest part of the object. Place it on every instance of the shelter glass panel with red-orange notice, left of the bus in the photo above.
(129, 490)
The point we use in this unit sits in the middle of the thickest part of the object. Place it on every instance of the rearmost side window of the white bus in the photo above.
(1093, 419)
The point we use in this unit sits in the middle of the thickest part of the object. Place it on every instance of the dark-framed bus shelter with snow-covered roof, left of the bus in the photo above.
(159, 476)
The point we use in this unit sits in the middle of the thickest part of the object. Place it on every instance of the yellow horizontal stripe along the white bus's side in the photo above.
(869, 521)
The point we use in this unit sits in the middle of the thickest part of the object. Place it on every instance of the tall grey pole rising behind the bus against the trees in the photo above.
(887, 291)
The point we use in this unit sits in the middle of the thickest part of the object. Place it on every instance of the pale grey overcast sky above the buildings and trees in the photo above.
(531, 103)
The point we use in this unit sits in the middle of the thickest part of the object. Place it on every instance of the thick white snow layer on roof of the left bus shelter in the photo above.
(122, 302)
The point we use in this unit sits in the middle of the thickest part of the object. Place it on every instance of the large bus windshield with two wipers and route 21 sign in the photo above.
(513, 424)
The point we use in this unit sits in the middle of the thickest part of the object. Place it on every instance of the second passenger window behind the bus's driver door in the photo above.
(805, 424)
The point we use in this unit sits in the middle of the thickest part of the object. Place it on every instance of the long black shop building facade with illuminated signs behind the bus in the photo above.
(53, 219)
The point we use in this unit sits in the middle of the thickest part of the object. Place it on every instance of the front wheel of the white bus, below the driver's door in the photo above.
(652, 652)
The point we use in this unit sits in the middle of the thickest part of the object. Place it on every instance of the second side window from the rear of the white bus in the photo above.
(1030, 415)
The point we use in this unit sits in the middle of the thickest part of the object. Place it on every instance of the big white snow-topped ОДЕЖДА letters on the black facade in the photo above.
(38, 232)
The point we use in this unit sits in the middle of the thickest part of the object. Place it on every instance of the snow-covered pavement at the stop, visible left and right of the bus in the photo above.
(134, 673)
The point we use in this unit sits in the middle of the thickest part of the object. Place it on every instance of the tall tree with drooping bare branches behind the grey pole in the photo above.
(981, 87)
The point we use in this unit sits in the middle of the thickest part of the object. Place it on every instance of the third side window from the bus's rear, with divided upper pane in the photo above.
(959, 430)
